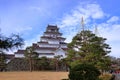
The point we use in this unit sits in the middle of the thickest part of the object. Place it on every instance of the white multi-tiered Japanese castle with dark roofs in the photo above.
(50, 45)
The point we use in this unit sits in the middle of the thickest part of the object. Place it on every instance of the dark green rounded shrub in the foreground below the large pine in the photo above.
(84, 72)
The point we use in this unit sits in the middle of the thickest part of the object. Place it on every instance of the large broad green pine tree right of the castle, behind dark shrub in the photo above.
(86, 47)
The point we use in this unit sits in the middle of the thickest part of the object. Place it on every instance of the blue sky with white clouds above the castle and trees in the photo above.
(30, 18)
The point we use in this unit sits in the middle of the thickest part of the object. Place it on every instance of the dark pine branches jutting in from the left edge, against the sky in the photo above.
(14, 41)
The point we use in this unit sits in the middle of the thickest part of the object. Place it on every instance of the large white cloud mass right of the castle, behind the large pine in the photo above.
(110, 29)
